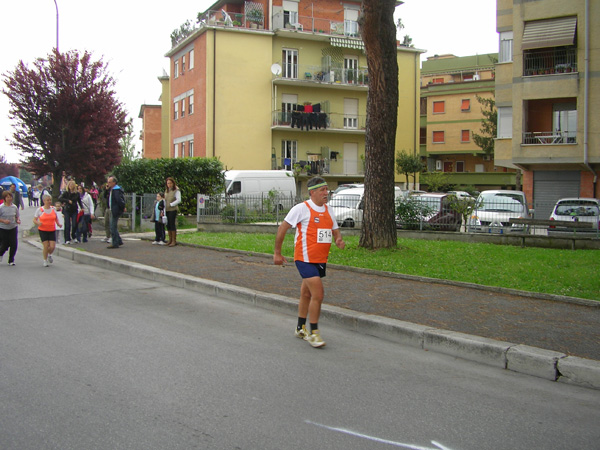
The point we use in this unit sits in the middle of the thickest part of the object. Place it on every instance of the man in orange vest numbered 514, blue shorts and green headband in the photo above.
(316, 229)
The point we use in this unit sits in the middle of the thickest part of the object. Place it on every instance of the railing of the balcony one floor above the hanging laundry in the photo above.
(319, 74)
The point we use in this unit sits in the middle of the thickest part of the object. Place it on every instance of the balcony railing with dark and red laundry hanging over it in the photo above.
(319, 121)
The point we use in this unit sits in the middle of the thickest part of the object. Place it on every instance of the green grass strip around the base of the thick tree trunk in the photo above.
(574, 273)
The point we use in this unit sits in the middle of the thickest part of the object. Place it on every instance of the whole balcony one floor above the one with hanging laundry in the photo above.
(318, 76)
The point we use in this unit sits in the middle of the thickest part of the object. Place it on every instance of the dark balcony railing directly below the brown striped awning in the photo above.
(550, 61)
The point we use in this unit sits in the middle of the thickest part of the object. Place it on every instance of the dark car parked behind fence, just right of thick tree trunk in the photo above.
(429, 211)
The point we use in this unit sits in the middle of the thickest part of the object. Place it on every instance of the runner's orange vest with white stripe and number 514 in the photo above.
(313, 237)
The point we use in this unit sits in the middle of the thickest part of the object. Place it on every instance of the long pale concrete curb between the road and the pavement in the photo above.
(519, 358)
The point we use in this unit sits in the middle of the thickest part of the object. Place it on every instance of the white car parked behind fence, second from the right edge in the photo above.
(494, 210)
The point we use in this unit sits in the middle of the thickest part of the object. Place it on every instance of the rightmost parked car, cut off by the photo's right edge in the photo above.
(576, 210)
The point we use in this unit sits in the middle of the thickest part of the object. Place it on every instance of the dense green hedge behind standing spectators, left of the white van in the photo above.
(192, 175)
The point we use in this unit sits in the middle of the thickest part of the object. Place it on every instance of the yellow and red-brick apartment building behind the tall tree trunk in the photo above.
(281, 85)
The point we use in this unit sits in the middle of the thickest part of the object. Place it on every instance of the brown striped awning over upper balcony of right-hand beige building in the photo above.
(549, 33)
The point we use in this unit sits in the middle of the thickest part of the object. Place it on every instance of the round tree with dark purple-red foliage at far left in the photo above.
(66, 116)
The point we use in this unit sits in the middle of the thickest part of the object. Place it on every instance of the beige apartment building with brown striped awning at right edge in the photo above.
(548, 97)
